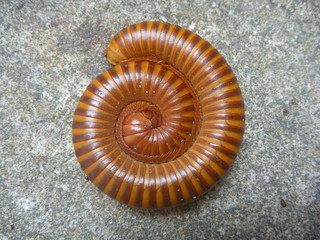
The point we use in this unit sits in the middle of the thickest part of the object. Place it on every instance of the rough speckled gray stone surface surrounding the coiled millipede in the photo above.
(50, 51)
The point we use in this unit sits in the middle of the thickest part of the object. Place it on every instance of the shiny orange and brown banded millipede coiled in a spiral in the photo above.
(165, 123)
